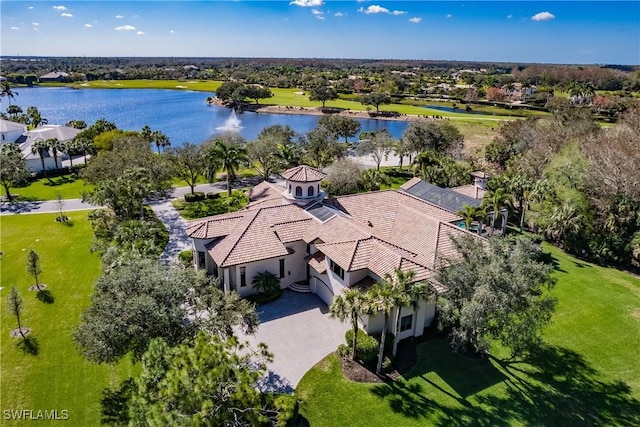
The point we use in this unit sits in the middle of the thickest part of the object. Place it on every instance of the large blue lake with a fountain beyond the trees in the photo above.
(181, 115)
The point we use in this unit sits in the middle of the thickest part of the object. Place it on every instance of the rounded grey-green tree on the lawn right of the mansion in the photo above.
(498, 289)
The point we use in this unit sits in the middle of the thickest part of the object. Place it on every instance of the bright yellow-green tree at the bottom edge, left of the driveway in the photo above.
(205, 382)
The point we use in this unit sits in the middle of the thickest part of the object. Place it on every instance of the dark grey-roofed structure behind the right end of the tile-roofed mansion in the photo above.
(455, 199)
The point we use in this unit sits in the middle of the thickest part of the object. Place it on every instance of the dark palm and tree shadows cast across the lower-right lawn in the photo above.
(554, 386)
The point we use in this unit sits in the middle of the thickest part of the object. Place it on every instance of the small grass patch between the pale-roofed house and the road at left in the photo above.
(69, 186)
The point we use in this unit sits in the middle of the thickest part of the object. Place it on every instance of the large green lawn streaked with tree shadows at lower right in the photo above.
(585, 374)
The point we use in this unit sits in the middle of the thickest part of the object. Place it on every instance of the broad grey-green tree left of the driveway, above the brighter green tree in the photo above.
(140, 299)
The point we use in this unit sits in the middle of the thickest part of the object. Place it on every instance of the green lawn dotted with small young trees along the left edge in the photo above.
(57, 377)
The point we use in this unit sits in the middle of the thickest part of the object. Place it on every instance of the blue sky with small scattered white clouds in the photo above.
(512, 31)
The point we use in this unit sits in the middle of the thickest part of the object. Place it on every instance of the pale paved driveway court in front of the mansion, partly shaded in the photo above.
(298, 331)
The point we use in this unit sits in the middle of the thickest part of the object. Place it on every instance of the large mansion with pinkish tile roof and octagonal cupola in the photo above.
(327, 246)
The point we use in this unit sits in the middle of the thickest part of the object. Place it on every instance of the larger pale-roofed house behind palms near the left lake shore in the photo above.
(33, 162)
